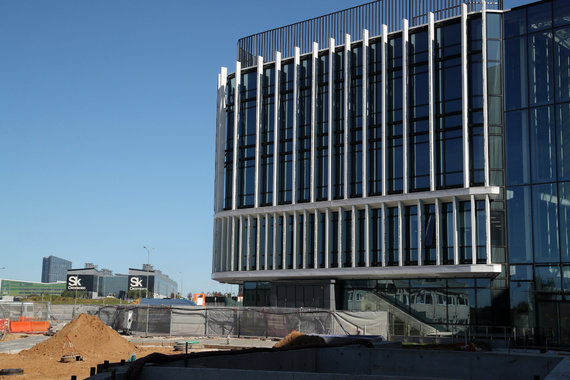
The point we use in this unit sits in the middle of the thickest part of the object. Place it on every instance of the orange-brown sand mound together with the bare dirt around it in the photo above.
(90, 337)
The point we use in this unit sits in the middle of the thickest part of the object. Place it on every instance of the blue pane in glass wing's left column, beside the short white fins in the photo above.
(520, 224)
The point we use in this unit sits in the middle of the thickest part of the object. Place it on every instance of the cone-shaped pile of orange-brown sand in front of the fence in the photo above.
(88, 335)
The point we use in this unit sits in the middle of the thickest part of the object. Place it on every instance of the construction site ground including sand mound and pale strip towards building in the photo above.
(95, 342)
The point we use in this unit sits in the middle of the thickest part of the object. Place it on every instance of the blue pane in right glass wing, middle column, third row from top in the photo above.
(542, 142)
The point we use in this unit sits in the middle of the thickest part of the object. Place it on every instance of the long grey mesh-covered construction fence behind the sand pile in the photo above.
(209, 321)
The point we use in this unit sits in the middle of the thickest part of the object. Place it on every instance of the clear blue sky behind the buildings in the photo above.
(107, 125)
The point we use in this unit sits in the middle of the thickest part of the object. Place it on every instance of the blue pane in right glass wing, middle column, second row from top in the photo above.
(540, 77)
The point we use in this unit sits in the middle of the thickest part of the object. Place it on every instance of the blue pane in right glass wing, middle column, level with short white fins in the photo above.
(545, 223)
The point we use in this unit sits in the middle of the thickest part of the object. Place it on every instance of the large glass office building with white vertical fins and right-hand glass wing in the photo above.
(403, 154)
